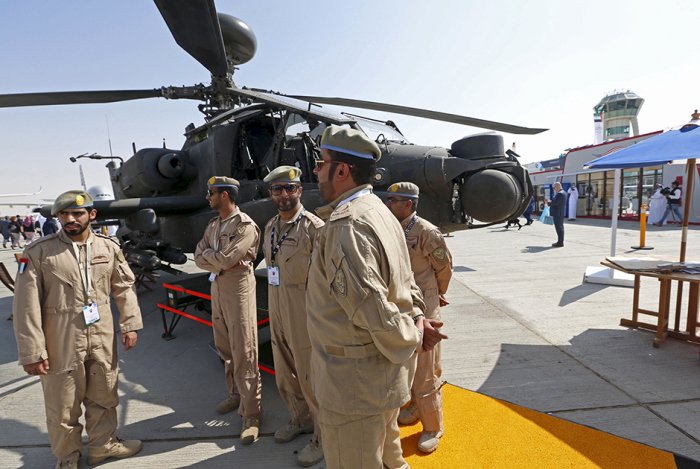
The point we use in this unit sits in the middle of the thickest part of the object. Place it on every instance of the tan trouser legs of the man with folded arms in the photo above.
(234, 318)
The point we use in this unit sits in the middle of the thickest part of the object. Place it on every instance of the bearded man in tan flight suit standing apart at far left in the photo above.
(64, 330)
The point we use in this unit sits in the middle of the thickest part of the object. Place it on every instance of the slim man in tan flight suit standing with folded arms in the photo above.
(228, 250)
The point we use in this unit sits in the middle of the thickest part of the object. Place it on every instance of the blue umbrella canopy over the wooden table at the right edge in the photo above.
(680, 144)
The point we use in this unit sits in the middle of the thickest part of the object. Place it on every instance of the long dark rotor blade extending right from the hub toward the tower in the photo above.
(424, 113)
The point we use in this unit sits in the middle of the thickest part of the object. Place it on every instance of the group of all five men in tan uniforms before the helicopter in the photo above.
(354, 300)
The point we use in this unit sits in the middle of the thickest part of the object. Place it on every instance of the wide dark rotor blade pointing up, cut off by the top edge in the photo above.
(195, 27)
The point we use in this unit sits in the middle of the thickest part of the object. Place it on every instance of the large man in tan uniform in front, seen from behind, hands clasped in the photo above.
(366, 319)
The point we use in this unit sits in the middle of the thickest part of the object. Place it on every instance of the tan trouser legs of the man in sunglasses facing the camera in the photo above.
(291, 351)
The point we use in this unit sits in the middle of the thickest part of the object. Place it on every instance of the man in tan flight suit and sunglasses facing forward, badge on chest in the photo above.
(288, 243)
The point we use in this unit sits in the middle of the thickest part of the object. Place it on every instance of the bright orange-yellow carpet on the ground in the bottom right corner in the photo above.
(483, 432)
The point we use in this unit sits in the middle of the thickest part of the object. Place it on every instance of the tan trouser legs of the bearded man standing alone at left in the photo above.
(92, 385)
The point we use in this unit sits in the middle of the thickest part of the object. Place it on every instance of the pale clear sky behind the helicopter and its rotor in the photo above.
(538, 63)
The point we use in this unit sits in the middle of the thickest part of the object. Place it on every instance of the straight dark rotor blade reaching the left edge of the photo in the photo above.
(75, 97)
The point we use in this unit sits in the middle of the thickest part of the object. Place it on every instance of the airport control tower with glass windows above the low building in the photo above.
(616, 114)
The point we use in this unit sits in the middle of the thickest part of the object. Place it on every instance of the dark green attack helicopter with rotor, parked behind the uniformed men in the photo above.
(247, 132)
